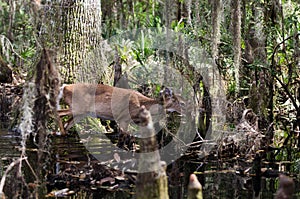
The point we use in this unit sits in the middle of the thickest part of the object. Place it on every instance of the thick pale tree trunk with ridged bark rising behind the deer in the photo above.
(73, 29)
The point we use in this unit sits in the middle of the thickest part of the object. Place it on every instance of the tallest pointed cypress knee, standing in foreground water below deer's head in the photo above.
(151, 181)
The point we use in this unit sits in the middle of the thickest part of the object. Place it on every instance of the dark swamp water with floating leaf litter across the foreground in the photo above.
(73, 167)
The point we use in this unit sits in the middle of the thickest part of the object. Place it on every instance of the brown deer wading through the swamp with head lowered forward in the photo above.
(112, 103)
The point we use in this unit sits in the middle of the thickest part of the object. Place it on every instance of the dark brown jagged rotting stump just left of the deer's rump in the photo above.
(47, 87)
